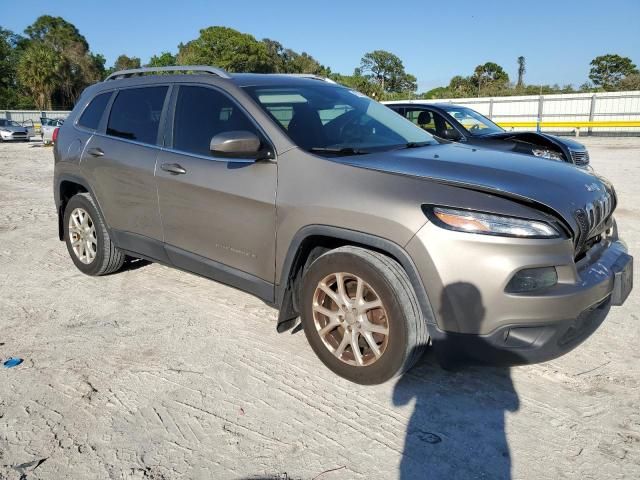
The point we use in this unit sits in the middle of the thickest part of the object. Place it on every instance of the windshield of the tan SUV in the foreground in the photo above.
(334, 120)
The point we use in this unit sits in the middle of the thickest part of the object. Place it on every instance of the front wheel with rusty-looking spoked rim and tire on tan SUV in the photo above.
(382, 278)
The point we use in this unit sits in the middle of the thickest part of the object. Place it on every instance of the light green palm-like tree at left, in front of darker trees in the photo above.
(39, 72)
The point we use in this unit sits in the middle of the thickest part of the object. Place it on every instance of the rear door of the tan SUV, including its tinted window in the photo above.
(119, 162)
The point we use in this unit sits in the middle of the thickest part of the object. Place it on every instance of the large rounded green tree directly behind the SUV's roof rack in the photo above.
(226, 48)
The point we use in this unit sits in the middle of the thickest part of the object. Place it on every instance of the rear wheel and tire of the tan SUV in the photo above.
(102, 256)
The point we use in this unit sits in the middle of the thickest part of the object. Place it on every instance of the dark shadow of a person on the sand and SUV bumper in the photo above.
(457, 429)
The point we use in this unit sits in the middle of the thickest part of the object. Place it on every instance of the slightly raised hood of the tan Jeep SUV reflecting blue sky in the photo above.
(558, 186)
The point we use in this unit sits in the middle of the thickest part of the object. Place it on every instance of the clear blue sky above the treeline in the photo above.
(436, 40)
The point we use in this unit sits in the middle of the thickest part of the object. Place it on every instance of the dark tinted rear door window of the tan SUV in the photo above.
(135, 114)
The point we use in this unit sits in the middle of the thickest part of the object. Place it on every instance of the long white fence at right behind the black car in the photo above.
(572, 107)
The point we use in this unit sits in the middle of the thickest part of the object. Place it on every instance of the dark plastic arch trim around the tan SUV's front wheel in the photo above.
(311, 241)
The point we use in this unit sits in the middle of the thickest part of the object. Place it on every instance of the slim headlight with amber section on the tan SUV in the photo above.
(489, 224)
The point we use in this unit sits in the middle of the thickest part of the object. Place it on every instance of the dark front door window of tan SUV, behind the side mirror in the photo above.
(202, 113)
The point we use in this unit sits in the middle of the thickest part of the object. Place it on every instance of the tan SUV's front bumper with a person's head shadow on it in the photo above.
(465, 277)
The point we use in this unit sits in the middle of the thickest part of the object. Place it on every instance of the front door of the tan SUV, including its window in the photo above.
(218, 213)
